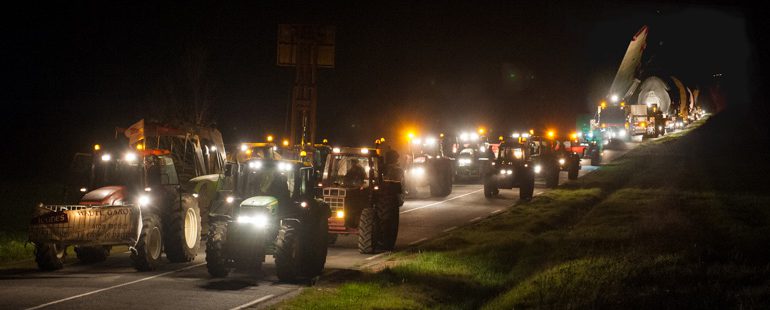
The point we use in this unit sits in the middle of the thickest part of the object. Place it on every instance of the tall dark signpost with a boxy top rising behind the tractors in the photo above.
(307, 48)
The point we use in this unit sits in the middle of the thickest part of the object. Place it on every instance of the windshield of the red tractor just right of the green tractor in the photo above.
(348, 171)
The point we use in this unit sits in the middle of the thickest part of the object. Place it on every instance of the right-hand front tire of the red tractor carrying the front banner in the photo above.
(145, 255)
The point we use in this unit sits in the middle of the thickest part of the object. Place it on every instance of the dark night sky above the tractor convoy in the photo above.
(72, 71)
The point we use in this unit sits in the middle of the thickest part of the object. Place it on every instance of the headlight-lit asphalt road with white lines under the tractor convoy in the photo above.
(115, 284)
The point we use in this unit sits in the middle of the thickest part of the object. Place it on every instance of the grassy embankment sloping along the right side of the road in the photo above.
(679, 222)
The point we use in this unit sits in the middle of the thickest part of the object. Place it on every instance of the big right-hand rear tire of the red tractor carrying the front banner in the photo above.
(183, 230)
